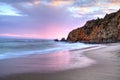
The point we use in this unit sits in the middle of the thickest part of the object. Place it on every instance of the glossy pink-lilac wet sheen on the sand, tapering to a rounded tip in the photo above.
(43, 63)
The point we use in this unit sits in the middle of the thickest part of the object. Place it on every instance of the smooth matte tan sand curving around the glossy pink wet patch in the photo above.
(106, 67)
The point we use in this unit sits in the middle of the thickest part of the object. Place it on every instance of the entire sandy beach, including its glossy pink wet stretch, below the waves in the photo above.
(94, 64)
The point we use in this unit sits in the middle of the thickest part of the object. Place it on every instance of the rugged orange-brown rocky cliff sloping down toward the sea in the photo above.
(98, 31)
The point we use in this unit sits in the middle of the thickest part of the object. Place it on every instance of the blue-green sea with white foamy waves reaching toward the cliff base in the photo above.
(12, 48)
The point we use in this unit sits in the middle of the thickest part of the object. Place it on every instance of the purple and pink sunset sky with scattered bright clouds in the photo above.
(50, 19)
